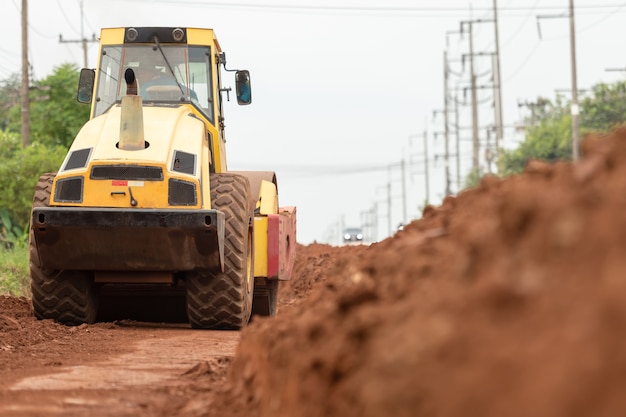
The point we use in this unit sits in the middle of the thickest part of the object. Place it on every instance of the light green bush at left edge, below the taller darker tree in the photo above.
(20, 169)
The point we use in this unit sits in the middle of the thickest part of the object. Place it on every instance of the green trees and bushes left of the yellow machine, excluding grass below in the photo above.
(55, 117)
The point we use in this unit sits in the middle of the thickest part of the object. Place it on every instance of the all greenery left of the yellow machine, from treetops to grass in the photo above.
(55, 119)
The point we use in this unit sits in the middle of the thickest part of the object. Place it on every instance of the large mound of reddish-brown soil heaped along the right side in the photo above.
(508, 299)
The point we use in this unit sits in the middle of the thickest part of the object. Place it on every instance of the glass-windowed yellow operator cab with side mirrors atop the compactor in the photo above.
(168, 69)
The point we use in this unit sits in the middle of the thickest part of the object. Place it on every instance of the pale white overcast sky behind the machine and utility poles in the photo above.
(343, 90)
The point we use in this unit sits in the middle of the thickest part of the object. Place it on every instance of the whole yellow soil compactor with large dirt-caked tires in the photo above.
(144, 202)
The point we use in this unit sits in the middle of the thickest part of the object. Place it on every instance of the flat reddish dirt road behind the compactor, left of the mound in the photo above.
(122, 369)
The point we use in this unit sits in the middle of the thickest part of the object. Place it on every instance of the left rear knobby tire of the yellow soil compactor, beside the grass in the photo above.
(68, 297)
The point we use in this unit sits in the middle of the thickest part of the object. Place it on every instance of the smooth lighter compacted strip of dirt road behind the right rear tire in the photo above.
(159, 376)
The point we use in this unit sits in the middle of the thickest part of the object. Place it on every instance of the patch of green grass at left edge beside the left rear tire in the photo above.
(14, 274)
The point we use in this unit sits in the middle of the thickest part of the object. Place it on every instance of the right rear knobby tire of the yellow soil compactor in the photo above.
(223, 300)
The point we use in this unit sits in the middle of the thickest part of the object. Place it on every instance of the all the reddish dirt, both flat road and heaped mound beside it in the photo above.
(507, 300)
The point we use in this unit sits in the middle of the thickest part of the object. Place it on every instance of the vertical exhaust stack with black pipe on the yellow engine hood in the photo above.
(131, 123)
